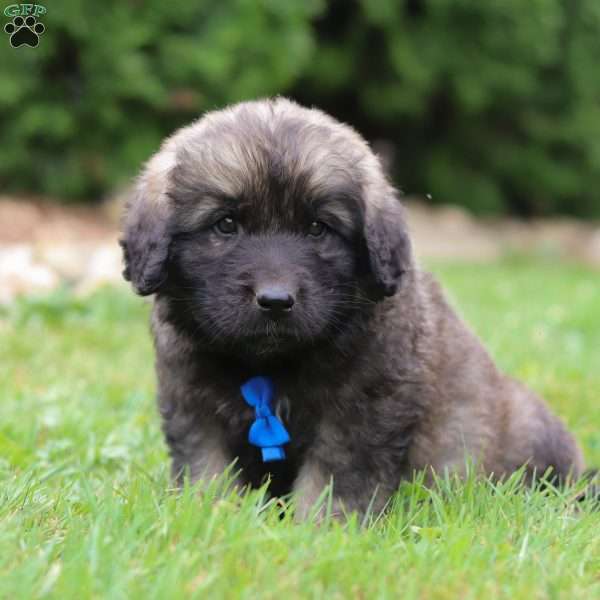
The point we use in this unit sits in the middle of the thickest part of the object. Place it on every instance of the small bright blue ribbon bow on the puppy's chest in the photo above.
(267, 432)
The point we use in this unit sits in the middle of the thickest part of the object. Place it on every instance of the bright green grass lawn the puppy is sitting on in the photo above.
(85, 510)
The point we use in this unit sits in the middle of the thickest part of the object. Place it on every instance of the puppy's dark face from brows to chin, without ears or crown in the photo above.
(262, 275)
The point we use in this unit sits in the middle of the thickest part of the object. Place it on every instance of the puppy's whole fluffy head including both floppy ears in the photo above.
(267, 225)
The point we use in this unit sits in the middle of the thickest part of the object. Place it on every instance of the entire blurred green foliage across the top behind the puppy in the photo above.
(492, 105)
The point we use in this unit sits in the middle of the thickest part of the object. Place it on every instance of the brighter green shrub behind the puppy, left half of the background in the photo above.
(110, 79)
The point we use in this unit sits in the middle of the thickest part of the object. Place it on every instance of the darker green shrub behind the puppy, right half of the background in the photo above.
(492, 105)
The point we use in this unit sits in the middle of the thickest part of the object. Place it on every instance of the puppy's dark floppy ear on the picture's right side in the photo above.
(388, 246)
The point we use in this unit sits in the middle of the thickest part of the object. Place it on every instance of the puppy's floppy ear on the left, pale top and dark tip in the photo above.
(146, 229)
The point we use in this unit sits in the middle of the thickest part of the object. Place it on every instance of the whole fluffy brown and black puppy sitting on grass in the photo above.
(274, 245)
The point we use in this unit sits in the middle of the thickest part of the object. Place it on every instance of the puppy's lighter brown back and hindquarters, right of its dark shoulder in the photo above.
(482, 413)
